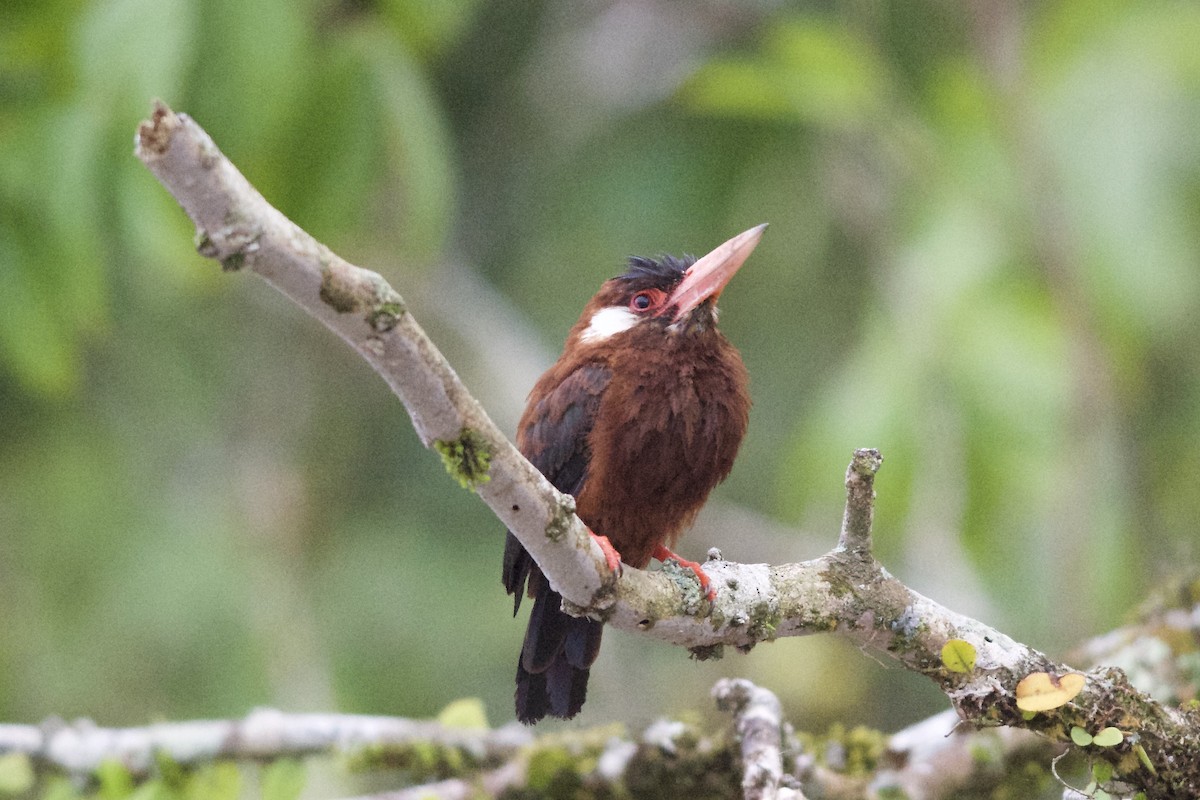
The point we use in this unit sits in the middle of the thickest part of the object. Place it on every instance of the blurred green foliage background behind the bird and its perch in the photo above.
(986, 219)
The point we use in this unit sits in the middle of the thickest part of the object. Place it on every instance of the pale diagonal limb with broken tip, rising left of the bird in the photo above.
(237, 227)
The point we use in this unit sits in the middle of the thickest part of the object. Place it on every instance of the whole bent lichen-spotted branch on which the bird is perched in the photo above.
(845, 592)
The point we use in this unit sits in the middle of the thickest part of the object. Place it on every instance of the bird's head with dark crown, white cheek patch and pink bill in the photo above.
(675, 296)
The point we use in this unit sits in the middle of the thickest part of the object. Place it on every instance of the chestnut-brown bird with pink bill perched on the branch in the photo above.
(639, 419)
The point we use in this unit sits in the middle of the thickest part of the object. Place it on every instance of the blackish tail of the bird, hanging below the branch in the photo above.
(553, 671)
